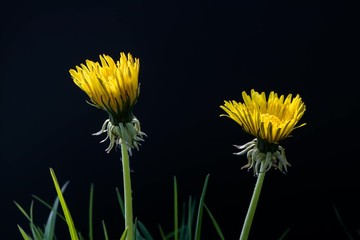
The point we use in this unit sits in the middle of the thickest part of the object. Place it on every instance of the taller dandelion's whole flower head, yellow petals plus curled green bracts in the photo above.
(113, 87)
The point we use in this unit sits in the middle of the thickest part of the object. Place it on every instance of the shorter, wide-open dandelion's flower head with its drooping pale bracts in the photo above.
(269, 120)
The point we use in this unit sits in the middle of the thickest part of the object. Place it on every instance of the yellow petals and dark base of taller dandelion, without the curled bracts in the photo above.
(111, 86)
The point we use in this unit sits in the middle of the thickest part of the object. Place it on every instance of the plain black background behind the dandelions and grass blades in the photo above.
(193, 57)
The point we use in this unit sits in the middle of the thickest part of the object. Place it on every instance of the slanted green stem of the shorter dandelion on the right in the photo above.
(253, 203)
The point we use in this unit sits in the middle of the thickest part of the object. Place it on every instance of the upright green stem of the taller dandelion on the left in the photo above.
(127, 192)
